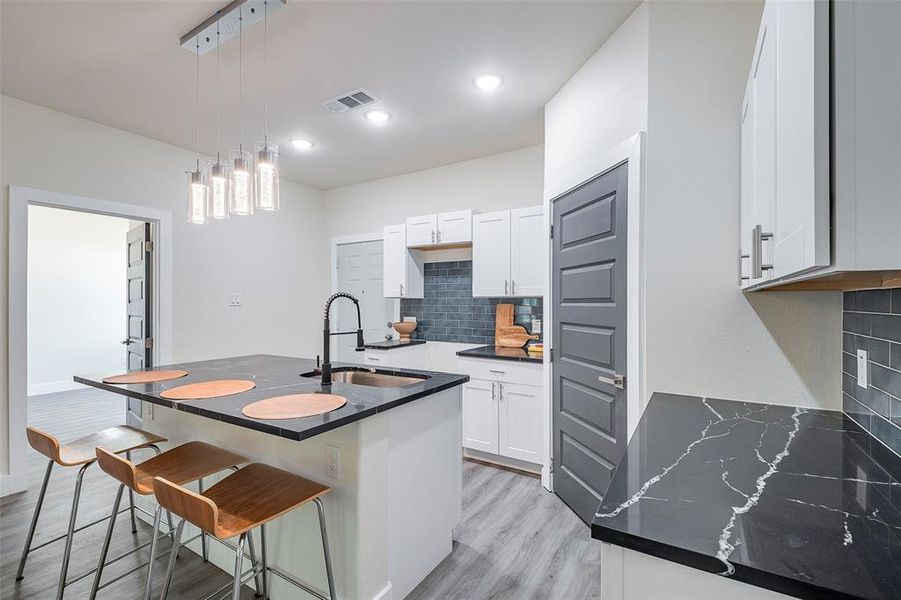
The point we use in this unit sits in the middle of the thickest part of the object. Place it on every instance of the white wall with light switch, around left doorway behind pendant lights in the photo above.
(275, 261)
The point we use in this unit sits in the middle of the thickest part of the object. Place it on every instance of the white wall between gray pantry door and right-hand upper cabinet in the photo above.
(704, 336)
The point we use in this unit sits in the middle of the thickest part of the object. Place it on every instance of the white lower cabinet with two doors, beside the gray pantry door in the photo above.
(502, 418)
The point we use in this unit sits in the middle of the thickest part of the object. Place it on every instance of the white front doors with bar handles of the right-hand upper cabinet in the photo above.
(785, 145)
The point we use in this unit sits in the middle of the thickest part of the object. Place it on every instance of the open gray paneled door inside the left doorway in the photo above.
(139, 343)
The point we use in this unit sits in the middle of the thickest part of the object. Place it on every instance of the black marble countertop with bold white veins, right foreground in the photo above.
(799, 501)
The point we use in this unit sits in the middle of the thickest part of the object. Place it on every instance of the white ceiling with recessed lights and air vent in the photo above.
(120, 64)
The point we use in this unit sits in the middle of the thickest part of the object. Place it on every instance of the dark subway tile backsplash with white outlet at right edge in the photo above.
(871, 321)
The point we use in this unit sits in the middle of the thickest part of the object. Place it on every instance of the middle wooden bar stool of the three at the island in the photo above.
(189, 462)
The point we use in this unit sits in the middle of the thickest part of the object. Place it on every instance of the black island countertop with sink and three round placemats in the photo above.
(277, 376)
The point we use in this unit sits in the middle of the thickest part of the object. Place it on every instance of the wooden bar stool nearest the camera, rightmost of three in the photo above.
(249, 498)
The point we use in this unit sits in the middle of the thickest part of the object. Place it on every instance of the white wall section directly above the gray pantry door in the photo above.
(604, 104)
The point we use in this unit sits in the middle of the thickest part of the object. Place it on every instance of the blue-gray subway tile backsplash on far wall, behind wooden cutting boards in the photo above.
(449, 313)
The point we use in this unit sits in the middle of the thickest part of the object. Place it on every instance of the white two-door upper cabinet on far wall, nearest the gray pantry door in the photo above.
(509, 253)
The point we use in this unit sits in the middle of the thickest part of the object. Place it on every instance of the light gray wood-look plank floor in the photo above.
(516, 540)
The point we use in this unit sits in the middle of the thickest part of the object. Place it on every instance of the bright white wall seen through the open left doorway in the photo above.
(76, 296)
